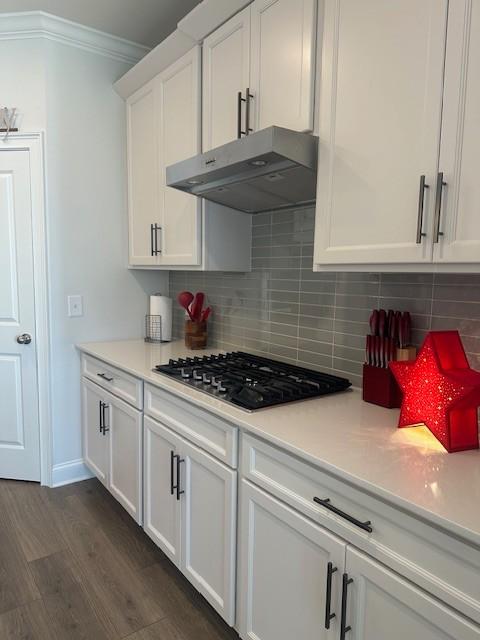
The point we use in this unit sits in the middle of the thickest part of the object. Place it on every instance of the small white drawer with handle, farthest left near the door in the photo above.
(118, 382)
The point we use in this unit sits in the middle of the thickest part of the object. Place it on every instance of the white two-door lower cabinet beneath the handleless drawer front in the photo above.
(190, 512)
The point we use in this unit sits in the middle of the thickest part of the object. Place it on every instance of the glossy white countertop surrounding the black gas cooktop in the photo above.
(356, 441)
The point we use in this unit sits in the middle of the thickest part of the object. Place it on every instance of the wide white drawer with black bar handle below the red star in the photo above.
(447, 567)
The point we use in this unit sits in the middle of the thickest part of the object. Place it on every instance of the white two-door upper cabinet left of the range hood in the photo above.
(164, 127)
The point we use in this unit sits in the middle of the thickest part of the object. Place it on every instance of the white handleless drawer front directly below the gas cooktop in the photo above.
(201, 427)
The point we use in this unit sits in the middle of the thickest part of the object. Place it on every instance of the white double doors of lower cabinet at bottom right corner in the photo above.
(298, 580)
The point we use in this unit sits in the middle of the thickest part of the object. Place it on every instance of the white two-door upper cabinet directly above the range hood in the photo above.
(269, 50)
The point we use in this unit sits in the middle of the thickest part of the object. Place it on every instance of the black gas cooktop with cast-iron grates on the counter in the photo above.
(251, 382)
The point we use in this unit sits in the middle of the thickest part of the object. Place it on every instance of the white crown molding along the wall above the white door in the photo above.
(38, 24)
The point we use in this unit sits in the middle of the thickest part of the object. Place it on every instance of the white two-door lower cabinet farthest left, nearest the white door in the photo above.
(113, 445)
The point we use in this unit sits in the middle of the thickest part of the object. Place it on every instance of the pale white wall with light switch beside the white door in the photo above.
(68, 93)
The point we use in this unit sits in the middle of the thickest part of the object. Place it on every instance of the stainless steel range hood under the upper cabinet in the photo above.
(271, 169)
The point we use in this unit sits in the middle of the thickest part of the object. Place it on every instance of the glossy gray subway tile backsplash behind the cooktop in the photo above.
(284, 310)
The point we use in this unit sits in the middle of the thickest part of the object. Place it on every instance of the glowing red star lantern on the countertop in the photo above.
(441, 391)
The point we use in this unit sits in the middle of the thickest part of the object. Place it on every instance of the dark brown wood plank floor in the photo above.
(74, 566)
